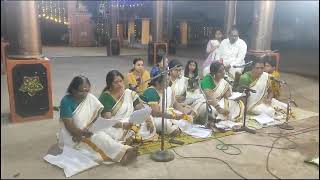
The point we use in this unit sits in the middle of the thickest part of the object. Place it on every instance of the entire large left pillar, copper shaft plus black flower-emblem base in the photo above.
(28, 72)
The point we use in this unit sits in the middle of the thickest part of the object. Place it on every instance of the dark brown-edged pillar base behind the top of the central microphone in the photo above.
(156, 51)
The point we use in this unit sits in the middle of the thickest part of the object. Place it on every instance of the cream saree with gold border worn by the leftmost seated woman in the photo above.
(100, 146)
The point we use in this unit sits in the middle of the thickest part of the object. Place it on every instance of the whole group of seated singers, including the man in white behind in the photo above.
(187, 98)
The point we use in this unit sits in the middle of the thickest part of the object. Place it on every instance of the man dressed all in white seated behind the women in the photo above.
(232, 52)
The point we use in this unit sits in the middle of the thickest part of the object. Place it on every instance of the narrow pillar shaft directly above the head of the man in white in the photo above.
(230, 16)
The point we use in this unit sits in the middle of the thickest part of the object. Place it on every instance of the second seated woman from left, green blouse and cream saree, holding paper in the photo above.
(119, 103)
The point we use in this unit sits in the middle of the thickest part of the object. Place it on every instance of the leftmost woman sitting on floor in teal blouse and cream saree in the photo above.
(78, 110)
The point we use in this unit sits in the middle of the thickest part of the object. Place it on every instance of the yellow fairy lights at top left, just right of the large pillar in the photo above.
(55, 11)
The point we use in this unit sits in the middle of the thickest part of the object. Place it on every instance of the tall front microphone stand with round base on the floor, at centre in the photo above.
(163, 155)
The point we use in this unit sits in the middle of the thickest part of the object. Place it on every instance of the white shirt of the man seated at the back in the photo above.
(232, 54)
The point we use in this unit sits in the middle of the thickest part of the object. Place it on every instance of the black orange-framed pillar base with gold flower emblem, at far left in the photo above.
(30, 91)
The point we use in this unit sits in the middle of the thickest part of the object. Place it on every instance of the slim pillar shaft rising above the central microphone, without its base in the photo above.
(157, 28)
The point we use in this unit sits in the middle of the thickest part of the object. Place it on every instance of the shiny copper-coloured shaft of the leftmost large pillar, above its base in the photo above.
(23, 30)
